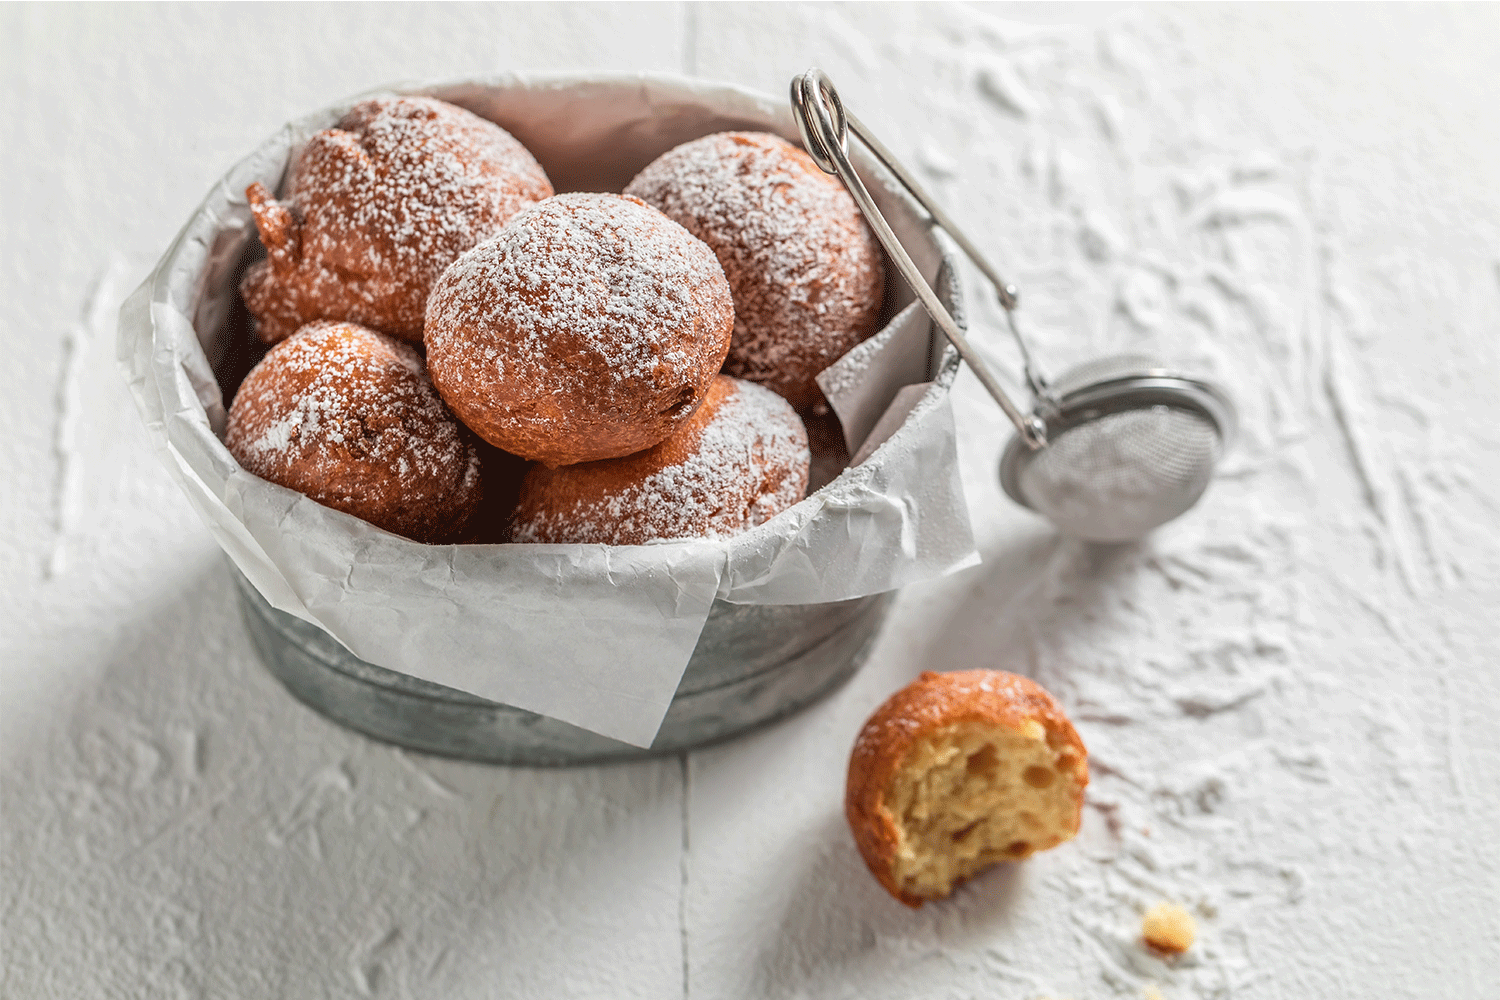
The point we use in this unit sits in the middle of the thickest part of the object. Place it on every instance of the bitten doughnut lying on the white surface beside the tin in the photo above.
(961, 771)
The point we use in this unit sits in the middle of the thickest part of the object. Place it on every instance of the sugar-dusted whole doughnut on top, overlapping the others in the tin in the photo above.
(589, 329)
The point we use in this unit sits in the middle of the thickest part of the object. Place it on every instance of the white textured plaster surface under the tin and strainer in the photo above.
(1289, 696)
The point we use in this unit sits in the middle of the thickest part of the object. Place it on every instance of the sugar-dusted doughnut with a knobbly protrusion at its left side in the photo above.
(379, 206)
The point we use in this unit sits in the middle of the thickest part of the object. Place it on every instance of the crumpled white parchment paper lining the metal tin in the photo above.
(596, 636)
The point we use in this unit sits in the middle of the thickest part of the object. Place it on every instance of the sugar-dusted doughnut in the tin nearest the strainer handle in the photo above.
(806, 271)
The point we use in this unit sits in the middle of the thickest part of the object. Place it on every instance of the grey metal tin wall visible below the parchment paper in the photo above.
(754, 665)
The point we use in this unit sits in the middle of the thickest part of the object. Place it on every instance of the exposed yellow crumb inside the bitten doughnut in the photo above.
(971, 795)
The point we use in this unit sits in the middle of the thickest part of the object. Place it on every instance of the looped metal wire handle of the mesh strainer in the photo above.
(824, 125)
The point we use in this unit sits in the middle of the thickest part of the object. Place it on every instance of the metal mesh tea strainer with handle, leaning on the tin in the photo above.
(1111, 451)
